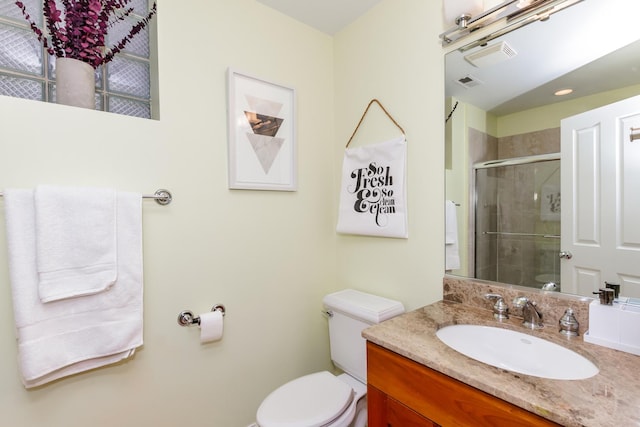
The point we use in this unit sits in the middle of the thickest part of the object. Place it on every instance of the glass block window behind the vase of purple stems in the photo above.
(123, 86)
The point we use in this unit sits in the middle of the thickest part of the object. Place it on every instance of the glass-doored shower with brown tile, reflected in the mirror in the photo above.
(517, 221)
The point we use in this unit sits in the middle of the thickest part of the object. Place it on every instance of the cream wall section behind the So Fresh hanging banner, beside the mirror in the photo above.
(394, 55)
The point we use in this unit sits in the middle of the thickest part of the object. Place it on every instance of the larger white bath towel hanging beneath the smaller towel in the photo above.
(64, 337)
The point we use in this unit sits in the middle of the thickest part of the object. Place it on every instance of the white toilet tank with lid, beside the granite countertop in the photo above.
(351, 312)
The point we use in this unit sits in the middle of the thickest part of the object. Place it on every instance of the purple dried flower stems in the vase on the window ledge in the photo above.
(80, 31)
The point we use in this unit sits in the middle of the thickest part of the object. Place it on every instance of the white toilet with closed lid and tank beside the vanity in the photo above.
(322, 399)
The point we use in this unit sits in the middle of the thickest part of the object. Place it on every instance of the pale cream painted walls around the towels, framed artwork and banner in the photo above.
(268, 256)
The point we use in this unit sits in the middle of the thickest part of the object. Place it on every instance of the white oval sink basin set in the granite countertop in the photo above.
(517, 352)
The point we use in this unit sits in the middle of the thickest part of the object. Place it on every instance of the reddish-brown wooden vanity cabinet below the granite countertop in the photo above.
(404, 393)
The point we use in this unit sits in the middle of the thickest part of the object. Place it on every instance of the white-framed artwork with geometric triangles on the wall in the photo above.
(262, 134)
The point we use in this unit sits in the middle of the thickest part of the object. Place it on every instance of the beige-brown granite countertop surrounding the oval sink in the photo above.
(611, 398)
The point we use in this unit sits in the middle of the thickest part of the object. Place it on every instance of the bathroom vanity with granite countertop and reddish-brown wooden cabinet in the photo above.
(414, 379)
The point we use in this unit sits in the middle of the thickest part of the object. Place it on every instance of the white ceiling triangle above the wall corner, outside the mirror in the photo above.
(328, 16)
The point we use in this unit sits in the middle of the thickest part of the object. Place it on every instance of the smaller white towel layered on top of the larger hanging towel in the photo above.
(76, 241)
